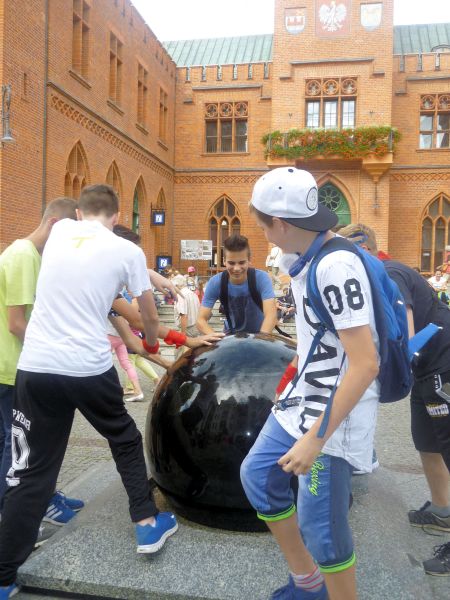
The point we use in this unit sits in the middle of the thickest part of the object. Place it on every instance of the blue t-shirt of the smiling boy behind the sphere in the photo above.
(244, 313)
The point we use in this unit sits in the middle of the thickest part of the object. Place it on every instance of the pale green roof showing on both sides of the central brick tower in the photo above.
(408, 39)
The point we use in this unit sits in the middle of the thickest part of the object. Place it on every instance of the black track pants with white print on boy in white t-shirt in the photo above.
(44, 407)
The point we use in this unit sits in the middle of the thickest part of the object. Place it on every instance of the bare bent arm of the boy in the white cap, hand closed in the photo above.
(362, 370)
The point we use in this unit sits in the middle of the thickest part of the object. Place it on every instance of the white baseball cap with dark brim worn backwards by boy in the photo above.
(291, 194)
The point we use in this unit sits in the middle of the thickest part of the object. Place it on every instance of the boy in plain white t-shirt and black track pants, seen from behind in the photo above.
(66, 365)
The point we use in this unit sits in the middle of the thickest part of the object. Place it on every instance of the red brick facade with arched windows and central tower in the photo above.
(111, 105)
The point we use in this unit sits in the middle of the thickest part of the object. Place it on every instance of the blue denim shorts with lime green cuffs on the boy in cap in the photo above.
(323, 496)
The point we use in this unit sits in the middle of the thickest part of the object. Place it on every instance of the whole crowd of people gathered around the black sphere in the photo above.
(78, 288)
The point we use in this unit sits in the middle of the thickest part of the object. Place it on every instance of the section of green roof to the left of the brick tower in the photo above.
(221, 51)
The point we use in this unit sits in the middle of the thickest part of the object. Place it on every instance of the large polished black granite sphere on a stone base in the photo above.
(205, 416)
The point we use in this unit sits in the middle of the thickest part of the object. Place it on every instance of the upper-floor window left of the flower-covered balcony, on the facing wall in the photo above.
(226, 127)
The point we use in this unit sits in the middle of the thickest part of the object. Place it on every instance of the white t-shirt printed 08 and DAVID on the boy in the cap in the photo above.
(345, 290)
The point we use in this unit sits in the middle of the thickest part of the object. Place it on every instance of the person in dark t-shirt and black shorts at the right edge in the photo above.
(430, 400)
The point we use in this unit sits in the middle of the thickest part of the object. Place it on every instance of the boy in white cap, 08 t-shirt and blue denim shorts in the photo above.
(285, 205)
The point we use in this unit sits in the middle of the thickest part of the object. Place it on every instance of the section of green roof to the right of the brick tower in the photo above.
(416, 39)
